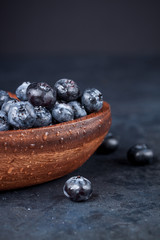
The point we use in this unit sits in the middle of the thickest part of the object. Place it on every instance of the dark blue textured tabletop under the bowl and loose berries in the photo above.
(125, 202)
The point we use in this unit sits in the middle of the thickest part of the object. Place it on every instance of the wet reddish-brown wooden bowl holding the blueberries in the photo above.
(38, 155)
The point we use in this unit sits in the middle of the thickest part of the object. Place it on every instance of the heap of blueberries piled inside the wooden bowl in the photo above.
(41, 105)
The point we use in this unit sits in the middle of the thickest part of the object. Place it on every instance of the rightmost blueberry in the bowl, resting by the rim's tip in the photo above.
(92, 100)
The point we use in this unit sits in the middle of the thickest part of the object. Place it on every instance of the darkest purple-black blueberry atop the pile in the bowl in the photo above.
(41, 94)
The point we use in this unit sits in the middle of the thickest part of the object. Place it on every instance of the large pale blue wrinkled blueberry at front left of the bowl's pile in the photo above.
(22, 115)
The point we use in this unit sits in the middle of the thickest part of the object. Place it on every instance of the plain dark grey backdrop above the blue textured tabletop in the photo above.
(86, 26)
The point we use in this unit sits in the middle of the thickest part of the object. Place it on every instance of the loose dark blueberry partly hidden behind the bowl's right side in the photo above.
(109, 145)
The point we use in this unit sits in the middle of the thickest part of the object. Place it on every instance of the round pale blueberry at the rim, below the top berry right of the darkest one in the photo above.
(62, 113)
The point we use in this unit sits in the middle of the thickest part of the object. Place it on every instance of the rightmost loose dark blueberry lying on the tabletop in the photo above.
(140, 154)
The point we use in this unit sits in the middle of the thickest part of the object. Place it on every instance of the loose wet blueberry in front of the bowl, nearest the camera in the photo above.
(78, 188)
